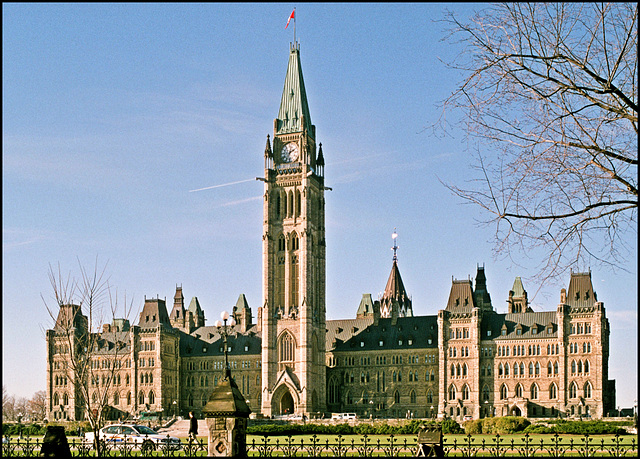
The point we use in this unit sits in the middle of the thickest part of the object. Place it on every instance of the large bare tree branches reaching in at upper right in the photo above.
(550, 93)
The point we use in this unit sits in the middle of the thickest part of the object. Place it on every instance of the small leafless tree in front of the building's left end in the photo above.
(87, 356)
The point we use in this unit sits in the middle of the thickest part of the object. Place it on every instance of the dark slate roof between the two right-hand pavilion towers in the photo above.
(527, 320)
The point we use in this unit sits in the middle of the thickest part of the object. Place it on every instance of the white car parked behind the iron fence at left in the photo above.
(136, 435)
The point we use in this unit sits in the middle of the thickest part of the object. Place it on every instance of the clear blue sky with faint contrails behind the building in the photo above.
(112, 113)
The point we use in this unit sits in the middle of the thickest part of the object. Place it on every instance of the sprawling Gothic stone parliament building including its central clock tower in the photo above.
(464, 361)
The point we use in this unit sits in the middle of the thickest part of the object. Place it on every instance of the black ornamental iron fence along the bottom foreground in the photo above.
(362, 446)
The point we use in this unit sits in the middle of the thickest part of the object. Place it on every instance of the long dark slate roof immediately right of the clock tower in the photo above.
(367, 337)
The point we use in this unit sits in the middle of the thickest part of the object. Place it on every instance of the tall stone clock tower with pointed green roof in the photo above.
(293, 258)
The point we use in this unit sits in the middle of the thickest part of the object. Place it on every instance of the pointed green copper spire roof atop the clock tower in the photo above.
(294, 98)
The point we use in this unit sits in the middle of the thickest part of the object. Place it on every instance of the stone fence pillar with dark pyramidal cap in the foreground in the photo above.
(226, 414)
